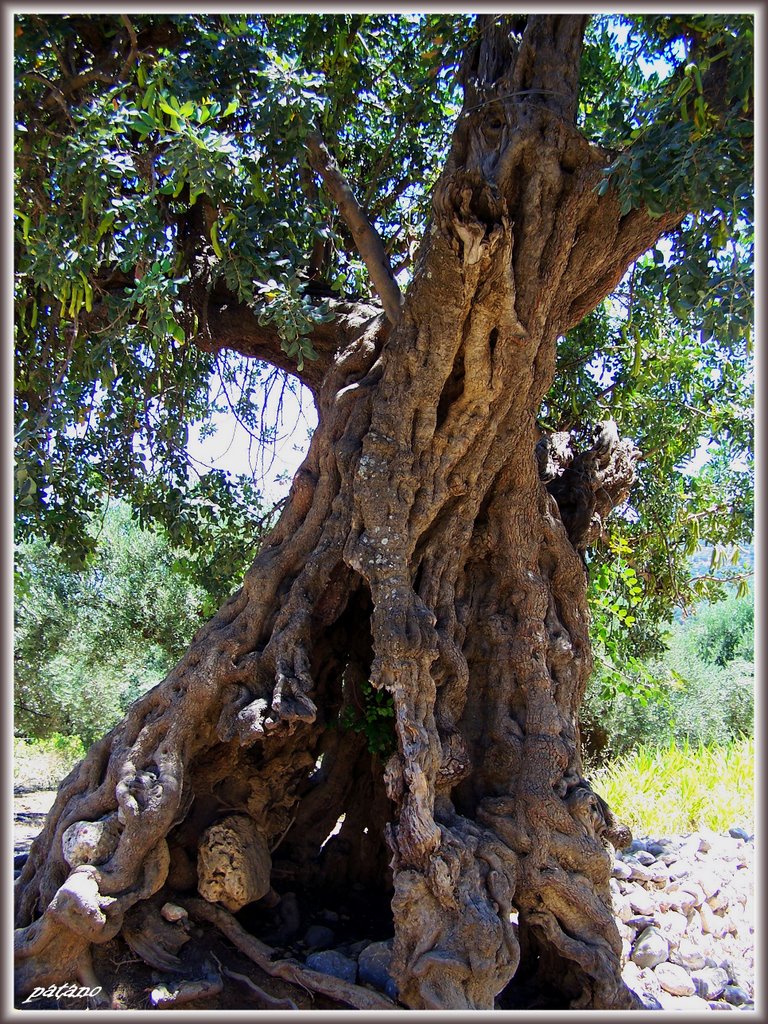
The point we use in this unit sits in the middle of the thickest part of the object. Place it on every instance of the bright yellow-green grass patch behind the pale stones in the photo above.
(680, 788)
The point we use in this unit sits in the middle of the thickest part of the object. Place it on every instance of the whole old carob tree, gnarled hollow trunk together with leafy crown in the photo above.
(433, 549)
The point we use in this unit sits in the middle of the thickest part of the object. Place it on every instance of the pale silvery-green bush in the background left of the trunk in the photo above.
(90, 642)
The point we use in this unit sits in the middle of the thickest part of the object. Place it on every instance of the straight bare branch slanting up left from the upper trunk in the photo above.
(366, 237)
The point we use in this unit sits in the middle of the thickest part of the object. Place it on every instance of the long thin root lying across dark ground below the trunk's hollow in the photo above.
(291, 971)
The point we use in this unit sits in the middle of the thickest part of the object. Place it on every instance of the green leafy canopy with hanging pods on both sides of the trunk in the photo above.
(161, 161)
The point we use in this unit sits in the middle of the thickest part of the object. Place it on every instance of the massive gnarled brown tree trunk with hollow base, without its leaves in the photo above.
(432, 548)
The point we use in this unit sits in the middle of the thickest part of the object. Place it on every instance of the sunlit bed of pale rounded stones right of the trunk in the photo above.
(689, 941)
